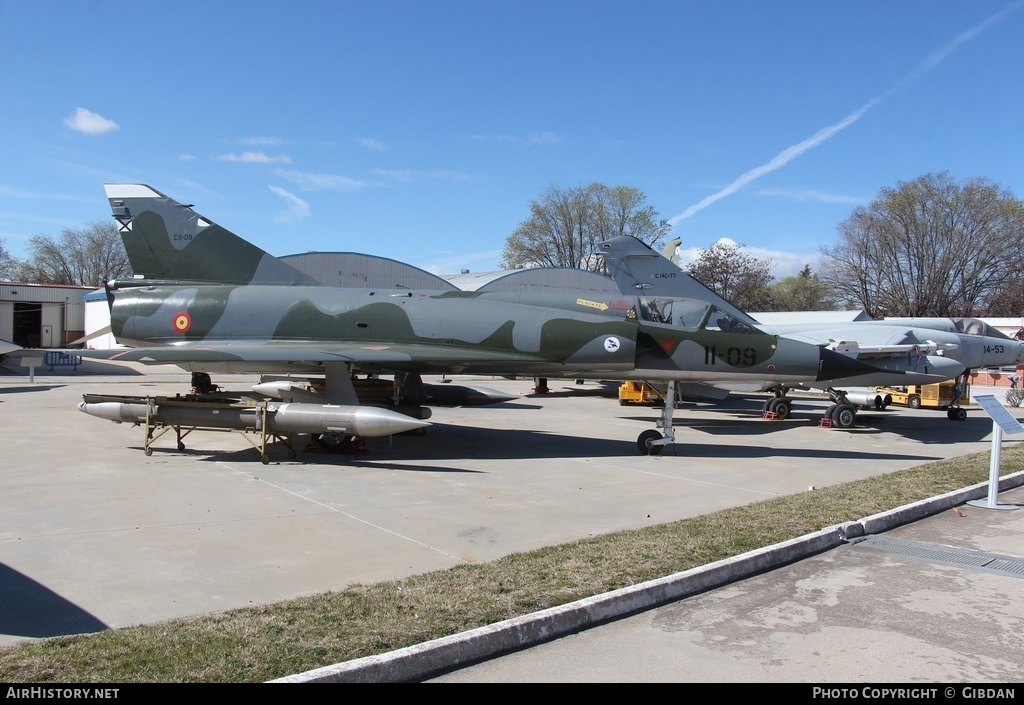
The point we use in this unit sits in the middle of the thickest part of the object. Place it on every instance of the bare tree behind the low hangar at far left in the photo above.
(89, 256)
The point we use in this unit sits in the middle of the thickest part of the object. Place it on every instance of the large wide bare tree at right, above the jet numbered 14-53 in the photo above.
(928, 247)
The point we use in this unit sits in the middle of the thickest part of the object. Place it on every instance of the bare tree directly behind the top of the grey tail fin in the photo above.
(567, 226)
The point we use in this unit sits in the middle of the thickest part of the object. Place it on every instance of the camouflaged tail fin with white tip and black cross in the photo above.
(166, 240)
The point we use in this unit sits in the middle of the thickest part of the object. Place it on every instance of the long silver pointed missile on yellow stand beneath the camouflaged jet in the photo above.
(281, 419)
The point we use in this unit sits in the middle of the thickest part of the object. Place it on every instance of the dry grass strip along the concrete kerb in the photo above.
(265, 643)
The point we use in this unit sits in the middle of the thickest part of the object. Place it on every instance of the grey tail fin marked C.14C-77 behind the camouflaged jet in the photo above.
(641, 271)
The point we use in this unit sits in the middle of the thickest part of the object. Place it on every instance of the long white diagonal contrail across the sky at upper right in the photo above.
(791, 153)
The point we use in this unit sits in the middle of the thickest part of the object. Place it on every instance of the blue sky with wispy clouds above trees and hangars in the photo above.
(421, 131)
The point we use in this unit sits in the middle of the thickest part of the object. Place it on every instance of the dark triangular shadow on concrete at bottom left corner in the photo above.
(31, 610)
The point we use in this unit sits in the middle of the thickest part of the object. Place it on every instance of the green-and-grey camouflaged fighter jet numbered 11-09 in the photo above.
(209, 302)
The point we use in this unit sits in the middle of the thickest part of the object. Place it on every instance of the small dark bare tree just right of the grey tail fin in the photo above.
(739, 278)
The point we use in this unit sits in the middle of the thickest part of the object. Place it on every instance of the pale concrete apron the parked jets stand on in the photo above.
(97, 535)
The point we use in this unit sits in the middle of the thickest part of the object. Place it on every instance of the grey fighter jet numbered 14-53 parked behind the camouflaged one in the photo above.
(906, 352)
